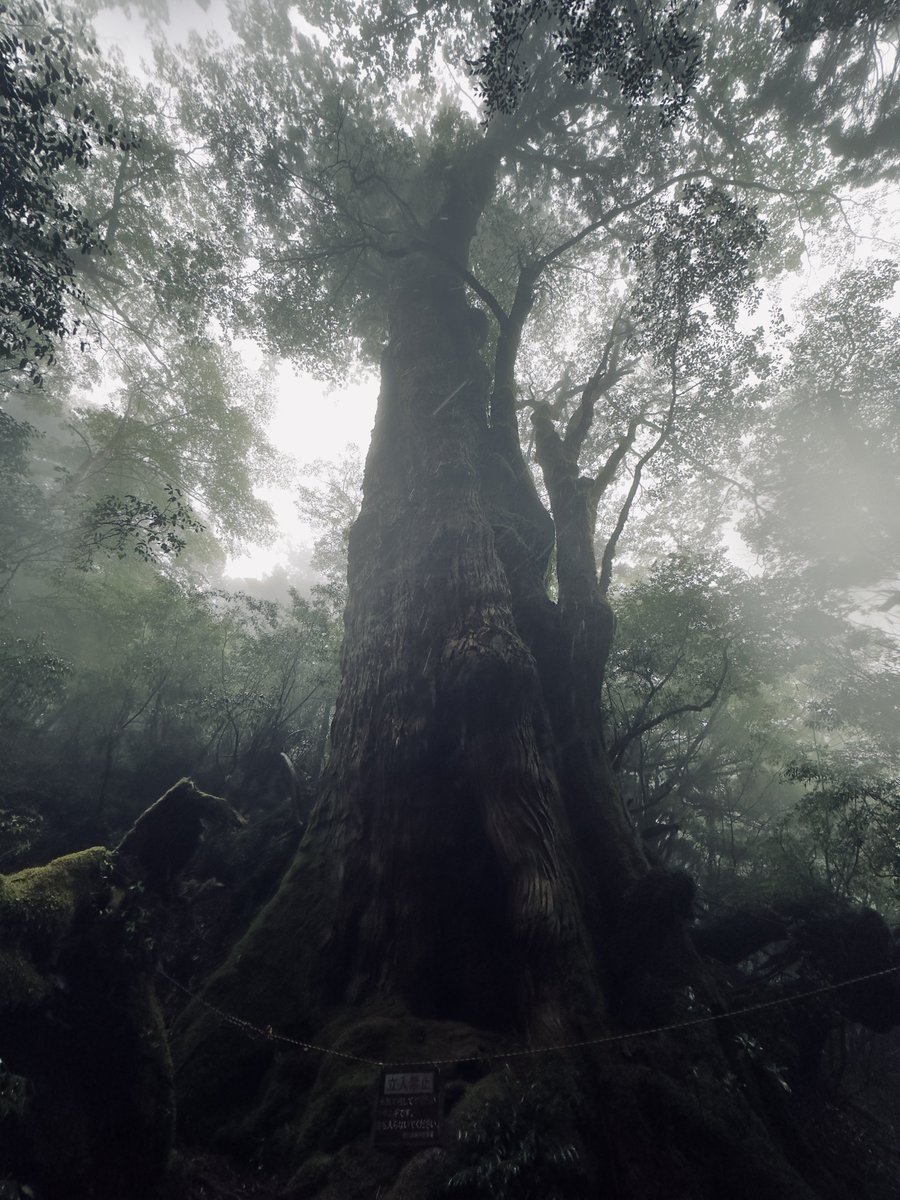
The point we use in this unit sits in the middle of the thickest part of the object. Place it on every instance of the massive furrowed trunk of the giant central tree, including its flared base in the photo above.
(469, 878)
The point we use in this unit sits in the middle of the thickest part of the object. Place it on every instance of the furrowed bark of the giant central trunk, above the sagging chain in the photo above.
(440, 867)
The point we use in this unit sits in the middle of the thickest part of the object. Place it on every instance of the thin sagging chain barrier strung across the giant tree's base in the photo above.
(271, 1035)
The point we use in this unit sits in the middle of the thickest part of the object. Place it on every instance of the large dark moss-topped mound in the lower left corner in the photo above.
(81, 1025)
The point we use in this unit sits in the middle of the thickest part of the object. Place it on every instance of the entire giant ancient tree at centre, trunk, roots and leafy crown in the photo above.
(566, 275)
